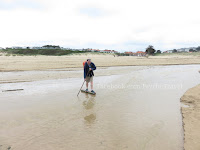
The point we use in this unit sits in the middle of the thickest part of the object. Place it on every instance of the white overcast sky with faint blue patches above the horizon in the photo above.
(123, 25)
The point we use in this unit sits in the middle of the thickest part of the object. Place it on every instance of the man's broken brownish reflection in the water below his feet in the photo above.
(89, 109)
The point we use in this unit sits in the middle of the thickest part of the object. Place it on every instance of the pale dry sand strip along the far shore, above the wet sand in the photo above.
(23, 63)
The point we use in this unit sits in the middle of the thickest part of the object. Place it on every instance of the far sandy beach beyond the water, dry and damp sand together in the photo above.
(66, 66)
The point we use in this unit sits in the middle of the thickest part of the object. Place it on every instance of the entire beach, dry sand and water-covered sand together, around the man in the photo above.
(48, 114)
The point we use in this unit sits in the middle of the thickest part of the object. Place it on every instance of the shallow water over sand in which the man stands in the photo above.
(134, 109)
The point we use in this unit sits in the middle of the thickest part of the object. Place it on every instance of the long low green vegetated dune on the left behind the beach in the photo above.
(53, 52)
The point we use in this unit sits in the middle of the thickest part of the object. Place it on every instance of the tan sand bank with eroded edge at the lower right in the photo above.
(191, 118)
